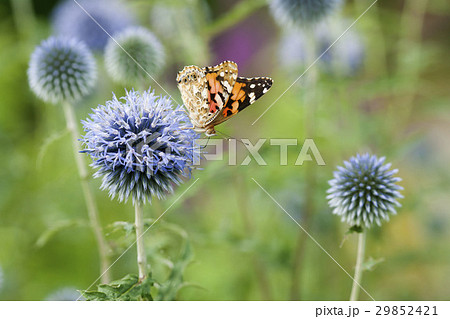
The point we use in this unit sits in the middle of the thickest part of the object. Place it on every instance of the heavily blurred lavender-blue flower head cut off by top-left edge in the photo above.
(79, 20)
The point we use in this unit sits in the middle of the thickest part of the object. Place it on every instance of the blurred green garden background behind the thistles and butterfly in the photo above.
(383, 90)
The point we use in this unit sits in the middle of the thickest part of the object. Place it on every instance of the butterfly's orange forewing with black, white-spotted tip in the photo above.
(245, 92)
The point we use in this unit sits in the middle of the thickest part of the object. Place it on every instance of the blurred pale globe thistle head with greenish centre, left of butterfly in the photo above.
(136, 54)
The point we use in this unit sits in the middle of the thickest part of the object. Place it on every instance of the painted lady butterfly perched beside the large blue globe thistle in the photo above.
(214, 94)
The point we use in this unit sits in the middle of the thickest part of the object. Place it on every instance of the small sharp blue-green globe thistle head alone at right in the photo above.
(364, 191)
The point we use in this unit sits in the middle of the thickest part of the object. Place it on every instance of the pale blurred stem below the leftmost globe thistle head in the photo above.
(89, 198)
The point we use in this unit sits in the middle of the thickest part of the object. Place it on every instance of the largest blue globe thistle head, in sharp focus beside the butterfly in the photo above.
(140, 145)
